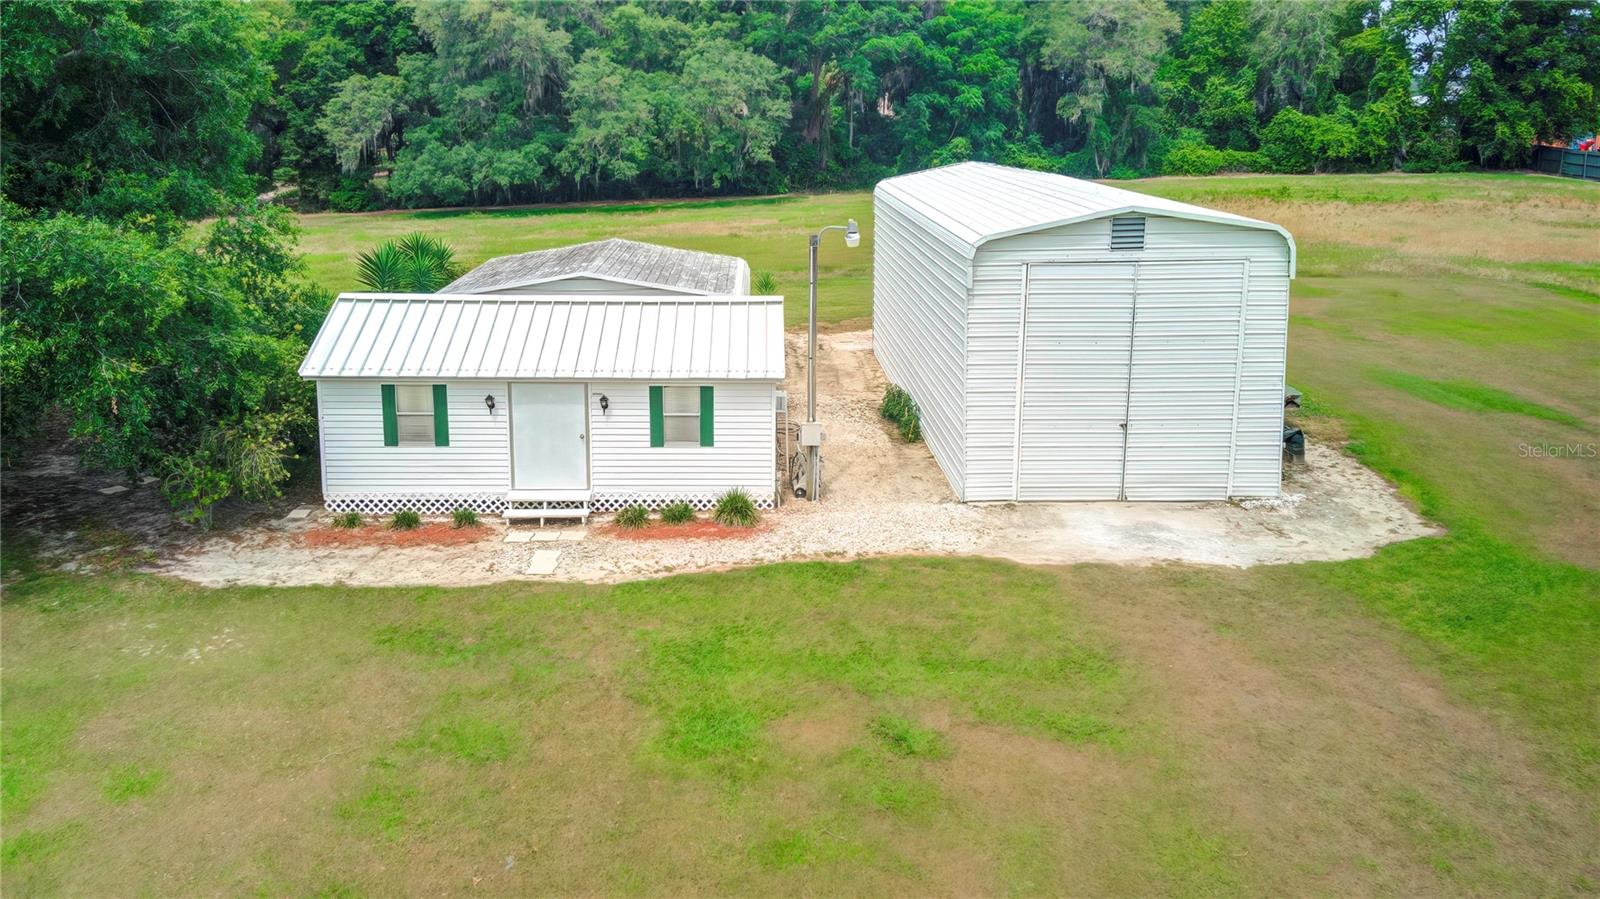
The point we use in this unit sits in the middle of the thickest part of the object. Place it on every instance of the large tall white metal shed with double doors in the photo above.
(1066, 340)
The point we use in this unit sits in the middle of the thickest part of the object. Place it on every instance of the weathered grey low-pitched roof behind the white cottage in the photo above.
(615, 260)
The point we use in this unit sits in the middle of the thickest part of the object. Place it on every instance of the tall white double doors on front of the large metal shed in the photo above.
(1129, 382)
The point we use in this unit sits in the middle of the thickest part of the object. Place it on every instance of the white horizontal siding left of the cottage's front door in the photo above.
(356, 460)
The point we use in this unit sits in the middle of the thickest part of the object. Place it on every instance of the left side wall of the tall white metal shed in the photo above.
(919, 327)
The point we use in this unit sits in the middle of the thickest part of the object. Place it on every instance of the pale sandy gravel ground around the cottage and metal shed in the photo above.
(882, 497)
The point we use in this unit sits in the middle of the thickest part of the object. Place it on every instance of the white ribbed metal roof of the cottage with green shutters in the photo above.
(377, 335)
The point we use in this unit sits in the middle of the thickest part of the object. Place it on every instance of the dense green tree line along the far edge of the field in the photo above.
(422, 103)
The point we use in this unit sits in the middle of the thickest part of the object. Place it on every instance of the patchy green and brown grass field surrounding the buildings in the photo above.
(1422, 722)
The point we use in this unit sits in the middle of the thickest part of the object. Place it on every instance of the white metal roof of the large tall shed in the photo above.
(977, 202)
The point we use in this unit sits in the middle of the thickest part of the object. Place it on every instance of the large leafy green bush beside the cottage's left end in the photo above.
(188, 367)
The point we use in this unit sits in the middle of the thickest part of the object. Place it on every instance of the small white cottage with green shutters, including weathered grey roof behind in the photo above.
(537, 388)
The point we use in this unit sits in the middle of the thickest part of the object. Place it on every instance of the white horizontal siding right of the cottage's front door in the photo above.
(745, 452)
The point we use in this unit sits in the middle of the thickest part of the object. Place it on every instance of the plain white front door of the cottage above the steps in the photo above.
(550, 438)
